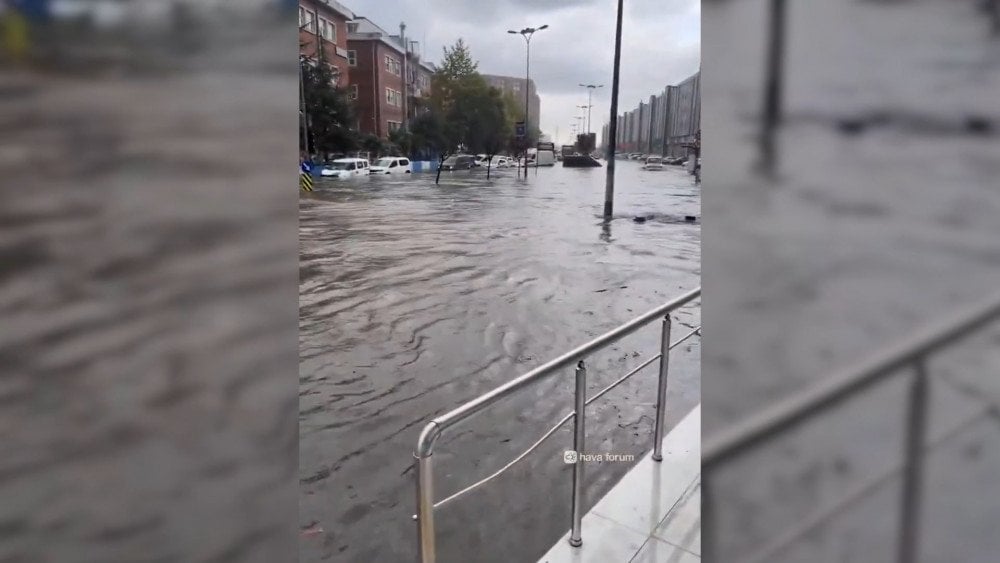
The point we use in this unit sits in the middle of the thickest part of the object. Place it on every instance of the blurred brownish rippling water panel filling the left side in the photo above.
(148, 281)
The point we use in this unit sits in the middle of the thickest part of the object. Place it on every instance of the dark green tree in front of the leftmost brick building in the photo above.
(328, 110)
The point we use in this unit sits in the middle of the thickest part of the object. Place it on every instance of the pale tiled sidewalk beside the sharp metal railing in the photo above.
(653, 514)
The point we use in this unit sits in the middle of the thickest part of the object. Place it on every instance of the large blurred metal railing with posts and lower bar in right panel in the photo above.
(729, 444)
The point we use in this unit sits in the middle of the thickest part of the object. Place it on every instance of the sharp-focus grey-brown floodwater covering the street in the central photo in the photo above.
(416, 297)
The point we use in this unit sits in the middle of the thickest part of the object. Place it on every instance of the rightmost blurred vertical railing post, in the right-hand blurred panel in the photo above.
(912, 489)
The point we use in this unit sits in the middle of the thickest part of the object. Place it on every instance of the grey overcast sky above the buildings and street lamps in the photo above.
(661, 45)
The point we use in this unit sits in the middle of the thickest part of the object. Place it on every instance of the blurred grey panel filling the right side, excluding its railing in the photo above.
(867, 213)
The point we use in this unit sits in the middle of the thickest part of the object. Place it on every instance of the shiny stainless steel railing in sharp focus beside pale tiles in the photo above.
(436, 427)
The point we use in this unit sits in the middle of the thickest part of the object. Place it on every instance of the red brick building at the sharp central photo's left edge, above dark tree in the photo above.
(323, 31)
